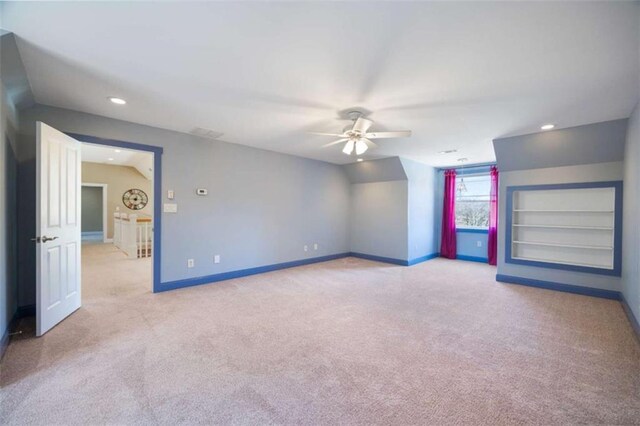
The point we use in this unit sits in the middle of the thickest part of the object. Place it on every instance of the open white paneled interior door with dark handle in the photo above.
(58, 238)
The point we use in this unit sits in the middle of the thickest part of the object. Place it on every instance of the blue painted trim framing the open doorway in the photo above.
(157, 193)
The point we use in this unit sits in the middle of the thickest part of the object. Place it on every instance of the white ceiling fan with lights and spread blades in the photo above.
(357, 138)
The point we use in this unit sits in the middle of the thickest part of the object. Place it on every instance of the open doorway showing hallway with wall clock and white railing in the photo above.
(117, 210)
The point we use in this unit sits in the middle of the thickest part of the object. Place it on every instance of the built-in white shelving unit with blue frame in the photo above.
(572, 226)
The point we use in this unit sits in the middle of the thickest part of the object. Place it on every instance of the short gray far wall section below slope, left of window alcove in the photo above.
(379, 216)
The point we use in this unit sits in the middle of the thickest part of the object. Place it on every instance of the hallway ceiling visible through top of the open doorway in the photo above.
(141, 161)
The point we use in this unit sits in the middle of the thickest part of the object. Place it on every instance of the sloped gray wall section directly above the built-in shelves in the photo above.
(589, 144)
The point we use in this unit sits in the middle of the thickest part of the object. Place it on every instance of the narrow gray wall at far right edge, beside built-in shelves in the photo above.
(631, 234)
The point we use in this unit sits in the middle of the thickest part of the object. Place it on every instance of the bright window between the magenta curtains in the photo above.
(472, 201)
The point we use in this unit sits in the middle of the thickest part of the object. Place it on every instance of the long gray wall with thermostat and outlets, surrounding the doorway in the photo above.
(262, 207)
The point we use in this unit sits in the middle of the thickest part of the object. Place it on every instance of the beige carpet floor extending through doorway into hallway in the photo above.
(342, 342)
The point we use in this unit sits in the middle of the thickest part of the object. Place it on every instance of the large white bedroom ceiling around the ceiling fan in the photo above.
(264, 74)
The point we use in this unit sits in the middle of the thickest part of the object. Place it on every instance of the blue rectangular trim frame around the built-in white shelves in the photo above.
(617, 238)
